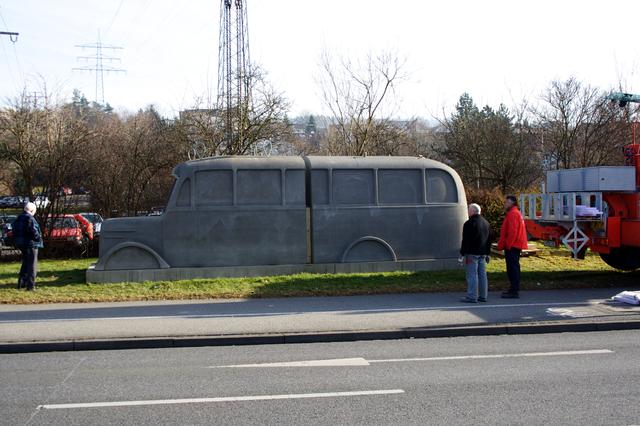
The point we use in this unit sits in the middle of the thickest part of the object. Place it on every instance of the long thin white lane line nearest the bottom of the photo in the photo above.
(220, 399)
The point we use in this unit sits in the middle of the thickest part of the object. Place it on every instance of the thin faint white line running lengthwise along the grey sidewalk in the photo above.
(458, 306)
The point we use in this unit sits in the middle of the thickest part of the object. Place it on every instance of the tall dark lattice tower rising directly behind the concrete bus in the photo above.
(234, 95)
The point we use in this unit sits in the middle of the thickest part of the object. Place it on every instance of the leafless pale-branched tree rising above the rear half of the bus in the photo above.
(357, 93)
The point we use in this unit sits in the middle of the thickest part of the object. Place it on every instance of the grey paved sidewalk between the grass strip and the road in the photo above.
(34, 328)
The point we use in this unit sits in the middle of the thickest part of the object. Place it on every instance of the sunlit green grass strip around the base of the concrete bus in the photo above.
(64, 281)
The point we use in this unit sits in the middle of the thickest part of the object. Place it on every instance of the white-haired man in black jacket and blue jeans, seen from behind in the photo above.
(475, 249)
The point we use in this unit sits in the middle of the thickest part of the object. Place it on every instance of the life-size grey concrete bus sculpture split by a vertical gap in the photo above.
(242, 216)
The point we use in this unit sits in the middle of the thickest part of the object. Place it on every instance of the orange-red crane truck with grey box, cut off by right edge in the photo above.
(596, 208)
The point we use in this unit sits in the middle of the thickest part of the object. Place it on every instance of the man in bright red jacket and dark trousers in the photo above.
(513, 239)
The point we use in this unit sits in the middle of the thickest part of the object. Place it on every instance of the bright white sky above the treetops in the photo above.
(498, 51)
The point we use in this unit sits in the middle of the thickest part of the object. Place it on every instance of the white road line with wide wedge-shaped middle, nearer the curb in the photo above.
(361, 362)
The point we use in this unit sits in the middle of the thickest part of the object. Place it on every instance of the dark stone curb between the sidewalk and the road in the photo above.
(324, 337)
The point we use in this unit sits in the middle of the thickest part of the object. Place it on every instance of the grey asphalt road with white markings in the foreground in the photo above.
(582, 378)
